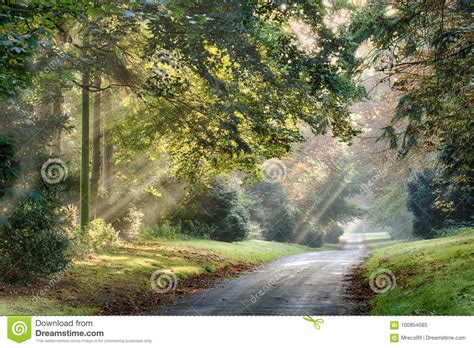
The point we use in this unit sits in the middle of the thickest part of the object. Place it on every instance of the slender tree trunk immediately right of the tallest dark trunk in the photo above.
(96, 153)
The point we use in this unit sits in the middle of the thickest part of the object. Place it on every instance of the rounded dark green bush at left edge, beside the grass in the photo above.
(34, 244)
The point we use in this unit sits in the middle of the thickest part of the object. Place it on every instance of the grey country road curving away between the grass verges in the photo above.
(309, 283)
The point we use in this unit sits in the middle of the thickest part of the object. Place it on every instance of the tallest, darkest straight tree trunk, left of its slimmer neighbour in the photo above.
(84, 185)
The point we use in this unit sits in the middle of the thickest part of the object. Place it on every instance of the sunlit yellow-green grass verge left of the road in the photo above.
(95, 283)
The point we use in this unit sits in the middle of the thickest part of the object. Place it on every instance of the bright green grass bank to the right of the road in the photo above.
(433, 277)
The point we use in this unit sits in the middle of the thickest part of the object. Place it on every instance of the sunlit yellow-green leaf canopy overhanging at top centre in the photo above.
(228, 87)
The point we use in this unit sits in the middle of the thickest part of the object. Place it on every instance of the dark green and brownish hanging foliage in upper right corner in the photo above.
(432, 70)
